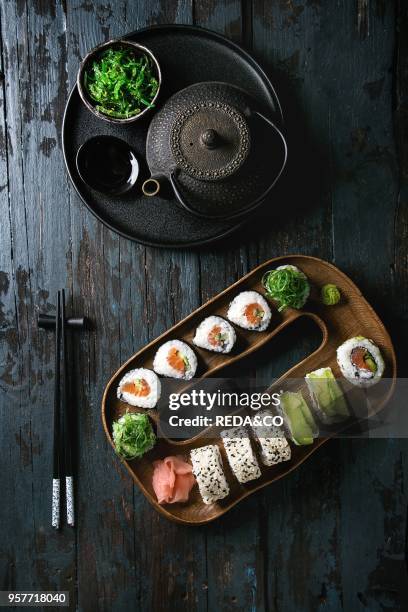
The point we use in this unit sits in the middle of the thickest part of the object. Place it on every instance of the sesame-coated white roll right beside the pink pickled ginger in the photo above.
(209, 473)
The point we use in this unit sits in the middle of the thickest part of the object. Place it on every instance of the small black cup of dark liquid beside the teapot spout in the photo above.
(107, 164)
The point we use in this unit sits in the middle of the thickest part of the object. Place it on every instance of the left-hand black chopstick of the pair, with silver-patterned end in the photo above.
(56, 468)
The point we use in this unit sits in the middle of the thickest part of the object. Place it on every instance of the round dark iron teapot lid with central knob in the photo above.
(209, 140)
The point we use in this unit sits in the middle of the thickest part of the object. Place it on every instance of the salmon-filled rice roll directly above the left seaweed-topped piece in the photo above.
(140, 387)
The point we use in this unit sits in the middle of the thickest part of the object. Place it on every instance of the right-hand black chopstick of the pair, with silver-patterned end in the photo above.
(69, 477)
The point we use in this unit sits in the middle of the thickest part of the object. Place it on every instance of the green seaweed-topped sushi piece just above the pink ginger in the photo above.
(133, 435)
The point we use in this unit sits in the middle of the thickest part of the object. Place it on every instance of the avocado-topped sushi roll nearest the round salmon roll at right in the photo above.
(327, 397)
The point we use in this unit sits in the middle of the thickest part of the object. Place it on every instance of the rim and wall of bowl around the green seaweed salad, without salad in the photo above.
(115, 44)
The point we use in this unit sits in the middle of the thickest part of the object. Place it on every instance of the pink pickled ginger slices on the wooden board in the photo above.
(172, 480)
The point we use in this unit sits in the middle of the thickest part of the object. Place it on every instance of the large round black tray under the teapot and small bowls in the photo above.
(187, 55)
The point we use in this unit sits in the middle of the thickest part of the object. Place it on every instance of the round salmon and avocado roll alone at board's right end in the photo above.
(360, 361)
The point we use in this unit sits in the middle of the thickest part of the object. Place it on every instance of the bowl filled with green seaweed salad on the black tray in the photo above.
(119, 81)
